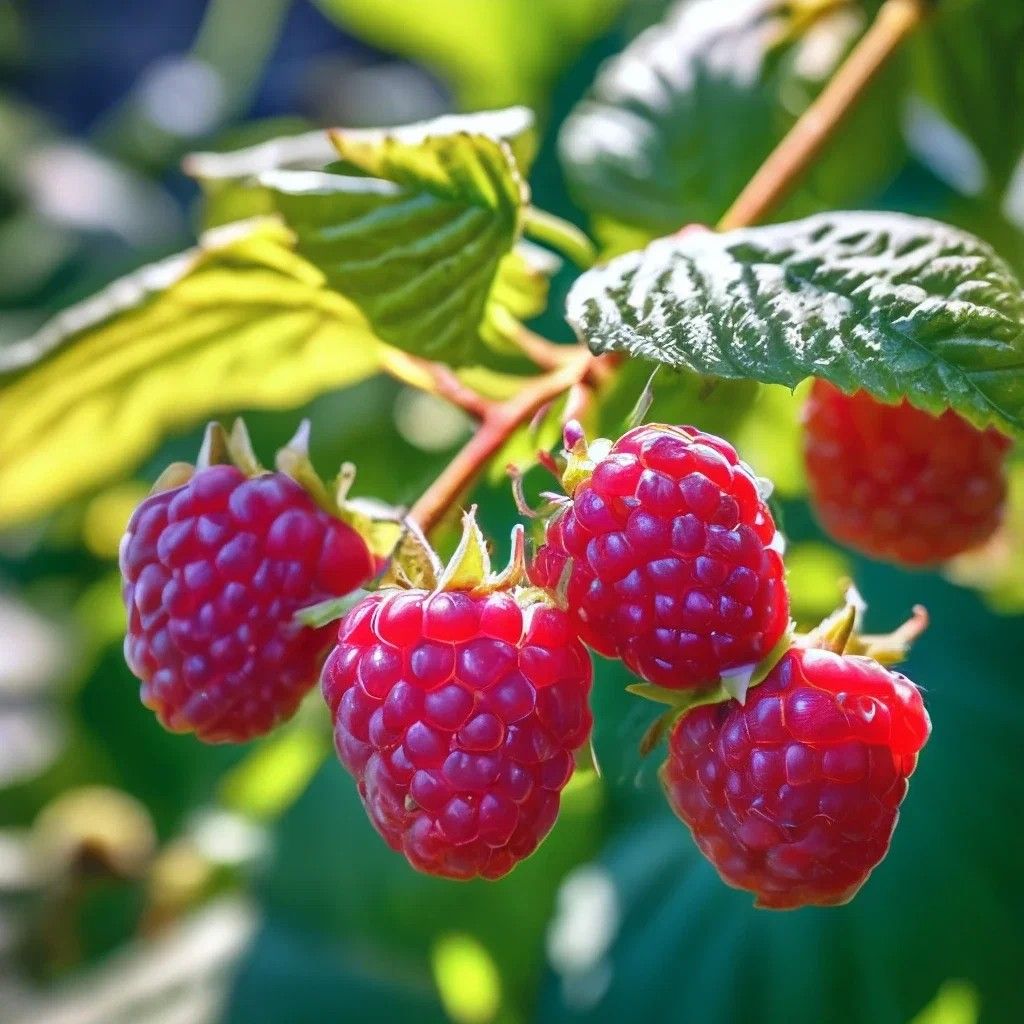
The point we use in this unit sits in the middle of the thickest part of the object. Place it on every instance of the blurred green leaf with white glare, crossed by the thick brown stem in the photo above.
(676, 125)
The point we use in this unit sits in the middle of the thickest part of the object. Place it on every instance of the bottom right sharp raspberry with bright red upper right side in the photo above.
(795, 796)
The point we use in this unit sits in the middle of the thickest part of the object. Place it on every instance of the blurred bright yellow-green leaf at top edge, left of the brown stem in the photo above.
(492, 54)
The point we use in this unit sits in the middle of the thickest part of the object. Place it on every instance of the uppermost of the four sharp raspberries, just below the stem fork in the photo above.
(675, 562)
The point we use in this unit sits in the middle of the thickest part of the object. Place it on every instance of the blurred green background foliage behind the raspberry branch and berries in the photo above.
(146, 878)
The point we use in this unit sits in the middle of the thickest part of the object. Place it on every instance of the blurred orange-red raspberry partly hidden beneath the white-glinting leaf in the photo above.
(898, 483)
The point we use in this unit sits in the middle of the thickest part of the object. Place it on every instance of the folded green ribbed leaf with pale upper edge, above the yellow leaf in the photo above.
(417, 226)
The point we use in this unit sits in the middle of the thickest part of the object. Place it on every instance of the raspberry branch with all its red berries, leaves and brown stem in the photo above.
(462, 702)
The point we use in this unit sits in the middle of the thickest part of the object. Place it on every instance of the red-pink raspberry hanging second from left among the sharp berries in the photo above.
(458, 714)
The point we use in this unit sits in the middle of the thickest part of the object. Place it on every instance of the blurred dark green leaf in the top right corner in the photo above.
(968, 66)
